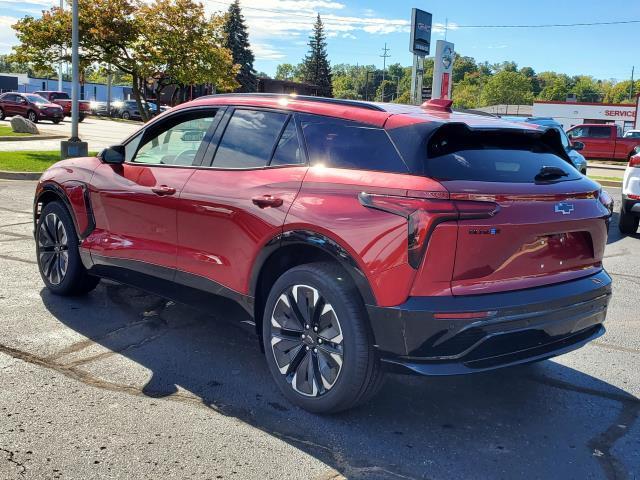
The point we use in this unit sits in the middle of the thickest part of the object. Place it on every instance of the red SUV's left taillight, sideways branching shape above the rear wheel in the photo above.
(424, 213)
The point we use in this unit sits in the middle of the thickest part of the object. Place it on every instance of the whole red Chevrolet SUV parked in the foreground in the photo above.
(360, 237)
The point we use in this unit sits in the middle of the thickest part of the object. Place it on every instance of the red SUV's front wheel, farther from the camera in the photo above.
(57, 253)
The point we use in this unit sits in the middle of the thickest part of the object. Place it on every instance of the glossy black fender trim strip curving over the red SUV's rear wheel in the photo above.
(322, 242)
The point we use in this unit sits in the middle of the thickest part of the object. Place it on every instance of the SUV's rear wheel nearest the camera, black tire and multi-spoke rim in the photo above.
(318, 344)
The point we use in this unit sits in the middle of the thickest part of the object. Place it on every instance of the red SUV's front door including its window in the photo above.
(135, 203)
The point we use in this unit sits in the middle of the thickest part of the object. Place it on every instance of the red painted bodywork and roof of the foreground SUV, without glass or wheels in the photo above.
(215, 223)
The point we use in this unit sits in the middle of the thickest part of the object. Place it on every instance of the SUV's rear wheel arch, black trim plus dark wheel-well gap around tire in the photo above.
(298, 247)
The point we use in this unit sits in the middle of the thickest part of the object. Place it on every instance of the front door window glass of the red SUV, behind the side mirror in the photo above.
(176, 143)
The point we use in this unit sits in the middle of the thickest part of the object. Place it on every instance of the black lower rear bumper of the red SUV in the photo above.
(524, 326)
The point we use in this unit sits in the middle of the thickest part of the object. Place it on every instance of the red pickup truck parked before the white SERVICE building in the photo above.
(603, 141)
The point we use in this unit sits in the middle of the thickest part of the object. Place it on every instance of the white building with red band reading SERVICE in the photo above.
(575, 113)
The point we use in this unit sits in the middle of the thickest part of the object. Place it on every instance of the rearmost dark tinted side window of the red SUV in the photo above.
(349, 145)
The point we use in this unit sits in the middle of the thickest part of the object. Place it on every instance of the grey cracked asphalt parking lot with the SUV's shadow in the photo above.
(122, 384)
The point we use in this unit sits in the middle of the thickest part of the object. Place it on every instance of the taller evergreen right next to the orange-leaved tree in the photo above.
(237, 41)
